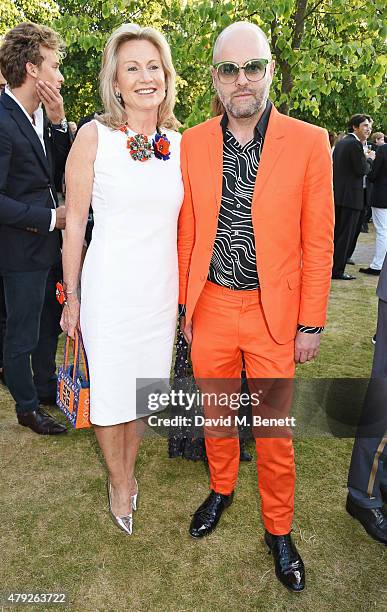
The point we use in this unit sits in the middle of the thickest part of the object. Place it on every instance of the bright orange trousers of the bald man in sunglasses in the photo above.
(227, 325)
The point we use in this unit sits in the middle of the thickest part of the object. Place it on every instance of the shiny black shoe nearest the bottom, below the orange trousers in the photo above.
(289, 567)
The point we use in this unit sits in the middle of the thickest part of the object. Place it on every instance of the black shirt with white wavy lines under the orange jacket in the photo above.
(233, 262)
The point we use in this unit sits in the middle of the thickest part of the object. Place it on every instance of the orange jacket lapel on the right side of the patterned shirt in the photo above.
(272, 150)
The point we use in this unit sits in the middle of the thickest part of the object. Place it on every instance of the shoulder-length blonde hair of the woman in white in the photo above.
(115, 115)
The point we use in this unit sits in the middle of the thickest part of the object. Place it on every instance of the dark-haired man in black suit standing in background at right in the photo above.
(350, 166)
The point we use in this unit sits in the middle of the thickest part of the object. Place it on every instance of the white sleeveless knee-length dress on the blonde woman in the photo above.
(129, 285)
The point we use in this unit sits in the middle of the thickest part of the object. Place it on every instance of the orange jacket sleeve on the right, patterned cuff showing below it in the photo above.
(317, 223)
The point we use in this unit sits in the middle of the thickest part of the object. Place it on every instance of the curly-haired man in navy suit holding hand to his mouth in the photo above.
(31, 146)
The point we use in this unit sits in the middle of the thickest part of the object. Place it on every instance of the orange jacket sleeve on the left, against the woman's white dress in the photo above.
(186, 227)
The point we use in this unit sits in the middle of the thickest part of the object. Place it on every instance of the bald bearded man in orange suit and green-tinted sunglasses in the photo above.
(255, 255)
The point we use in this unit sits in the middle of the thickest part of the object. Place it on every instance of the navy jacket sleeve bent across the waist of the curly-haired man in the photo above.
(12, 212)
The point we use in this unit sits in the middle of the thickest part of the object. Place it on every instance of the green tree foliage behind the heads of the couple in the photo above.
(330, 54)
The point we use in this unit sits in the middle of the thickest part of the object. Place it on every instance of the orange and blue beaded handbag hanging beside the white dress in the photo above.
(73, 389)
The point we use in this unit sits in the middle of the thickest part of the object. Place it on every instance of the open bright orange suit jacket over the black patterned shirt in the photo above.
(292, 214)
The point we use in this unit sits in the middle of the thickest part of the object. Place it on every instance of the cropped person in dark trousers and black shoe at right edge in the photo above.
(367, 478)
